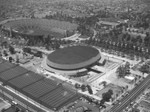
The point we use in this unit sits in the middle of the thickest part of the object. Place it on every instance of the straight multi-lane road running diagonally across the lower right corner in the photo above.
(132, 95)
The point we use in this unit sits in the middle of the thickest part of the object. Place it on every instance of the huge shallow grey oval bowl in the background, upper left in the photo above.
(41, 27)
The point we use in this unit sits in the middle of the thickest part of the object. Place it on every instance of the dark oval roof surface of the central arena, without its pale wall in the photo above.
(73, 55)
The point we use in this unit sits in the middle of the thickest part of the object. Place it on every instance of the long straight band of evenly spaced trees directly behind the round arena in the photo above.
(126, 48)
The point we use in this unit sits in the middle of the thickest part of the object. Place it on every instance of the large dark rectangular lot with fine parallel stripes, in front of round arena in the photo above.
(44, 91)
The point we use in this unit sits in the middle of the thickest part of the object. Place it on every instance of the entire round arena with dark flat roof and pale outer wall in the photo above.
(73, 58)
